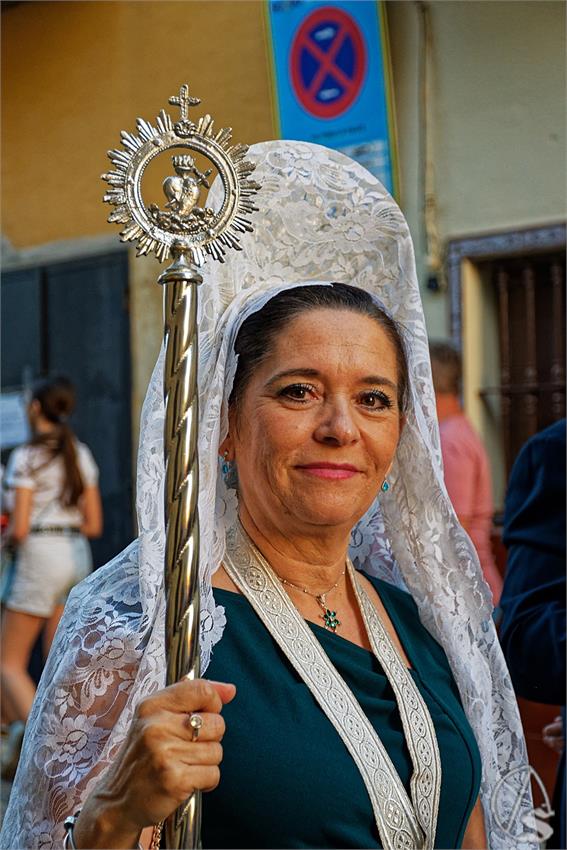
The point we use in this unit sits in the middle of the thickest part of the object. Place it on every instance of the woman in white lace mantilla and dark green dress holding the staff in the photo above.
(317, 426)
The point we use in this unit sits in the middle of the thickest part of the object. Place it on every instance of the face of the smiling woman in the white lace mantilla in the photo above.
(316, 430)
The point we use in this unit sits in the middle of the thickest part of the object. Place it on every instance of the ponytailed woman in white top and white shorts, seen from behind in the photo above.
(52, 485)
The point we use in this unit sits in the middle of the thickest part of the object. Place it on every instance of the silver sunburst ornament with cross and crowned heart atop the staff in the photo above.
(196, 230)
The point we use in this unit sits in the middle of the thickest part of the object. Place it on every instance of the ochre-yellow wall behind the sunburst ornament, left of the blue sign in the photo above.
(74, 74)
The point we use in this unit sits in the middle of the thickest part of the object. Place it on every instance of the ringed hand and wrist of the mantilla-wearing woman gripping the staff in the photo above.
(159, 765)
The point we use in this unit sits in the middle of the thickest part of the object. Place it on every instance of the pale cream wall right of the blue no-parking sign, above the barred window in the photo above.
(498, 103)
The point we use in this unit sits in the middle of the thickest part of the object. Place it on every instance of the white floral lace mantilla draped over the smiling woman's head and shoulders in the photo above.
(323, 218)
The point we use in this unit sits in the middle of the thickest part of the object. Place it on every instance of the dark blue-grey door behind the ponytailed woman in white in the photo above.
(72, 318)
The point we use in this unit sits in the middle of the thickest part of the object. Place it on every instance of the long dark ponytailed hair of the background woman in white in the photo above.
(56, 398)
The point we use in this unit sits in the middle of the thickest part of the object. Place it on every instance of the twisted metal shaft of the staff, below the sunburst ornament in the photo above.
(181, 567)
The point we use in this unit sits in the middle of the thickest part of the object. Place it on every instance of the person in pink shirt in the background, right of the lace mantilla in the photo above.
(465, 462)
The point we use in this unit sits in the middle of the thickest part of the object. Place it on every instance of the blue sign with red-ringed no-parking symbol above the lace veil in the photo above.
(331, 75)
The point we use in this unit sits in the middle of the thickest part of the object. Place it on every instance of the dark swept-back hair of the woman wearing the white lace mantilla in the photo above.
(256, 337)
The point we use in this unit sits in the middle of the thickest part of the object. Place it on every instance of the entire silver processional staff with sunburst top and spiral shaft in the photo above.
(186, 233)
